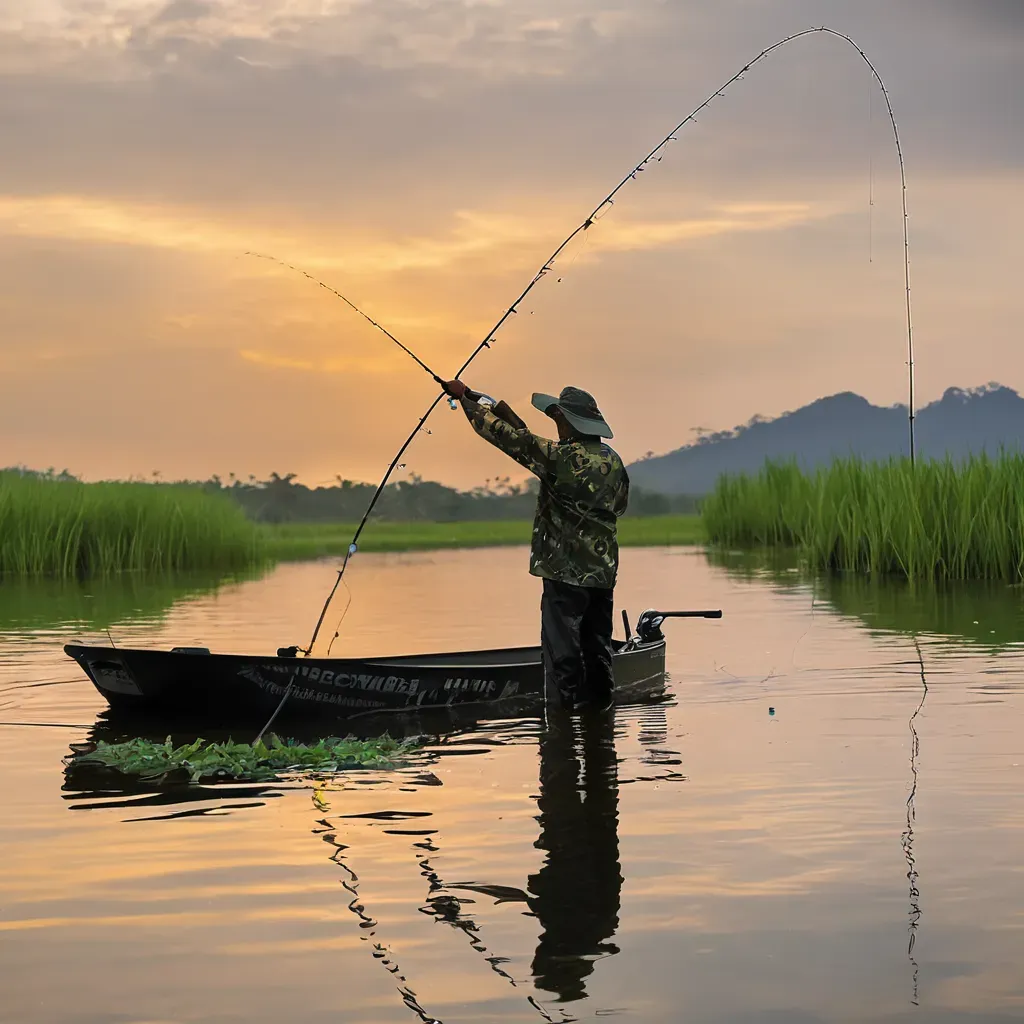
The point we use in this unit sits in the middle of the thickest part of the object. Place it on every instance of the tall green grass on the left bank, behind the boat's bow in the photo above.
(69, 529)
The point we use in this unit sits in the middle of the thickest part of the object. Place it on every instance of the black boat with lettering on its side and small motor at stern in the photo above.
(231, 690)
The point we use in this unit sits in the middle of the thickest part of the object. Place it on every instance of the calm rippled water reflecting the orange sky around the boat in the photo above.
(699, 861)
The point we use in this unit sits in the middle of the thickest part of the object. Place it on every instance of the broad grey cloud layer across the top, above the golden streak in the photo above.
(295, 101)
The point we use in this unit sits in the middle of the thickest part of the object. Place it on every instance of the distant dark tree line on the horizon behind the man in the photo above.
(282, 499)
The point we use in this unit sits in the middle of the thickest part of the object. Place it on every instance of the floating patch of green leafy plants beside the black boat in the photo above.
(260, 762)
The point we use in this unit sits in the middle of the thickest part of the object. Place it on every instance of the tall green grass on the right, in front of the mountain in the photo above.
(936, 521)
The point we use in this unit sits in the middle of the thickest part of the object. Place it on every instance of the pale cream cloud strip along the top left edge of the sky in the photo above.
(491, 39)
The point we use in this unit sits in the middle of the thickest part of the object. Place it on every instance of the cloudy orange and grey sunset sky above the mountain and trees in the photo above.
(424, 159)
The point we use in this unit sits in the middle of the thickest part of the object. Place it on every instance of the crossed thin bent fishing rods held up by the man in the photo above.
(656, 155)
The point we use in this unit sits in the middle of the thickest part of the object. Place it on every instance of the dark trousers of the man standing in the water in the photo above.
(576, 638)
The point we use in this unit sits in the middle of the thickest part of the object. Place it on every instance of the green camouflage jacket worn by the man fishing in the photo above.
(584, 491)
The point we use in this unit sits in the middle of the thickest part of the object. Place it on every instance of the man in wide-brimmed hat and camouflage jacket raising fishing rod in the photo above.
(584, 491)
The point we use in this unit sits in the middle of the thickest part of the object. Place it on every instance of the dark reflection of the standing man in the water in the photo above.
(577, 891)
